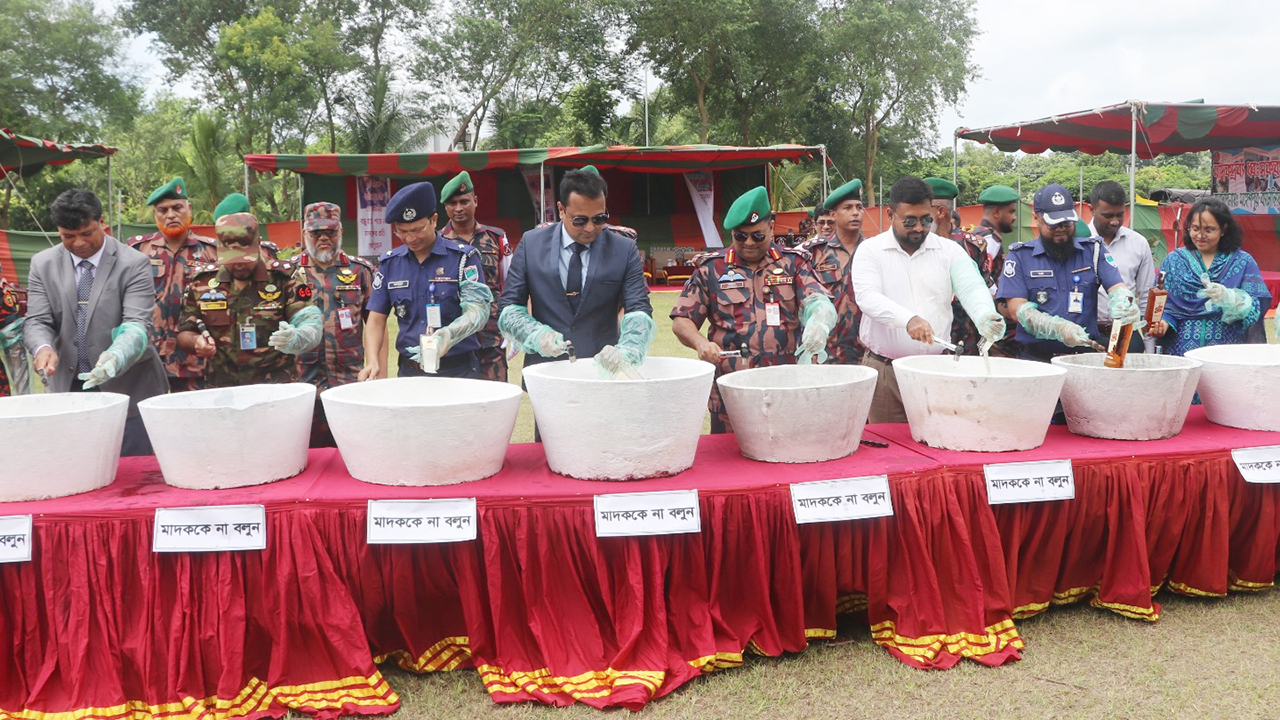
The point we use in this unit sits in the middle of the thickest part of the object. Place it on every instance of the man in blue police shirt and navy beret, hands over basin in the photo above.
(433, 285)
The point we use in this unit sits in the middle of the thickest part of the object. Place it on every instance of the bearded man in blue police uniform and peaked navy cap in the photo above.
(1052, 284)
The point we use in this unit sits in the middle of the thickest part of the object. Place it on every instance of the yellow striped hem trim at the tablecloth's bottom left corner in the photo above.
(257, 696)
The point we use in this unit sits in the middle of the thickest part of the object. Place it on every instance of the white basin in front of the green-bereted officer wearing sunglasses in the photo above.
(798, 413)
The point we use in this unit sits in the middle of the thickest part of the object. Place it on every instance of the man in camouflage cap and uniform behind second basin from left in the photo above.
(245, 315)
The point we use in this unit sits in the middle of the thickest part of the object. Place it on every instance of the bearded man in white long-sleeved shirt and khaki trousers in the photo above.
(904, 281)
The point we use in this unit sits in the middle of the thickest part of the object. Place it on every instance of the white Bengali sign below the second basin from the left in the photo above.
(209, 530)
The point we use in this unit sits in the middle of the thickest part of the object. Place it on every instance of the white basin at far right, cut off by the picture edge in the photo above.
(1241, 385)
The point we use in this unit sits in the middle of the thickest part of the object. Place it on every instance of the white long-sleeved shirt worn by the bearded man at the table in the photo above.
(893, 288)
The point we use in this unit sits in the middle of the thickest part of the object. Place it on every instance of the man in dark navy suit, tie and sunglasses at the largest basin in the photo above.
(578, 276)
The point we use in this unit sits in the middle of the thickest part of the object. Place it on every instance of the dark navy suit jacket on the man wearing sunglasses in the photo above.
(615, 280)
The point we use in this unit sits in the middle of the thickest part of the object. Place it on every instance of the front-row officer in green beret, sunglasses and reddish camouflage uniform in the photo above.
(760, 299)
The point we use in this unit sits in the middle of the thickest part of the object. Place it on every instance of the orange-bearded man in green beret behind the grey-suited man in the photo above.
(175, 253)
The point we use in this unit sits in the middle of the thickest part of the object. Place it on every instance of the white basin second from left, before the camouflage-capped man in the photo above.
(231, 438)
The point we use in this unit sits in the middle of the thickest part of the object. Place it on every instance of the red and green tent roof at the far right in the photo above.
(1163, 129)
